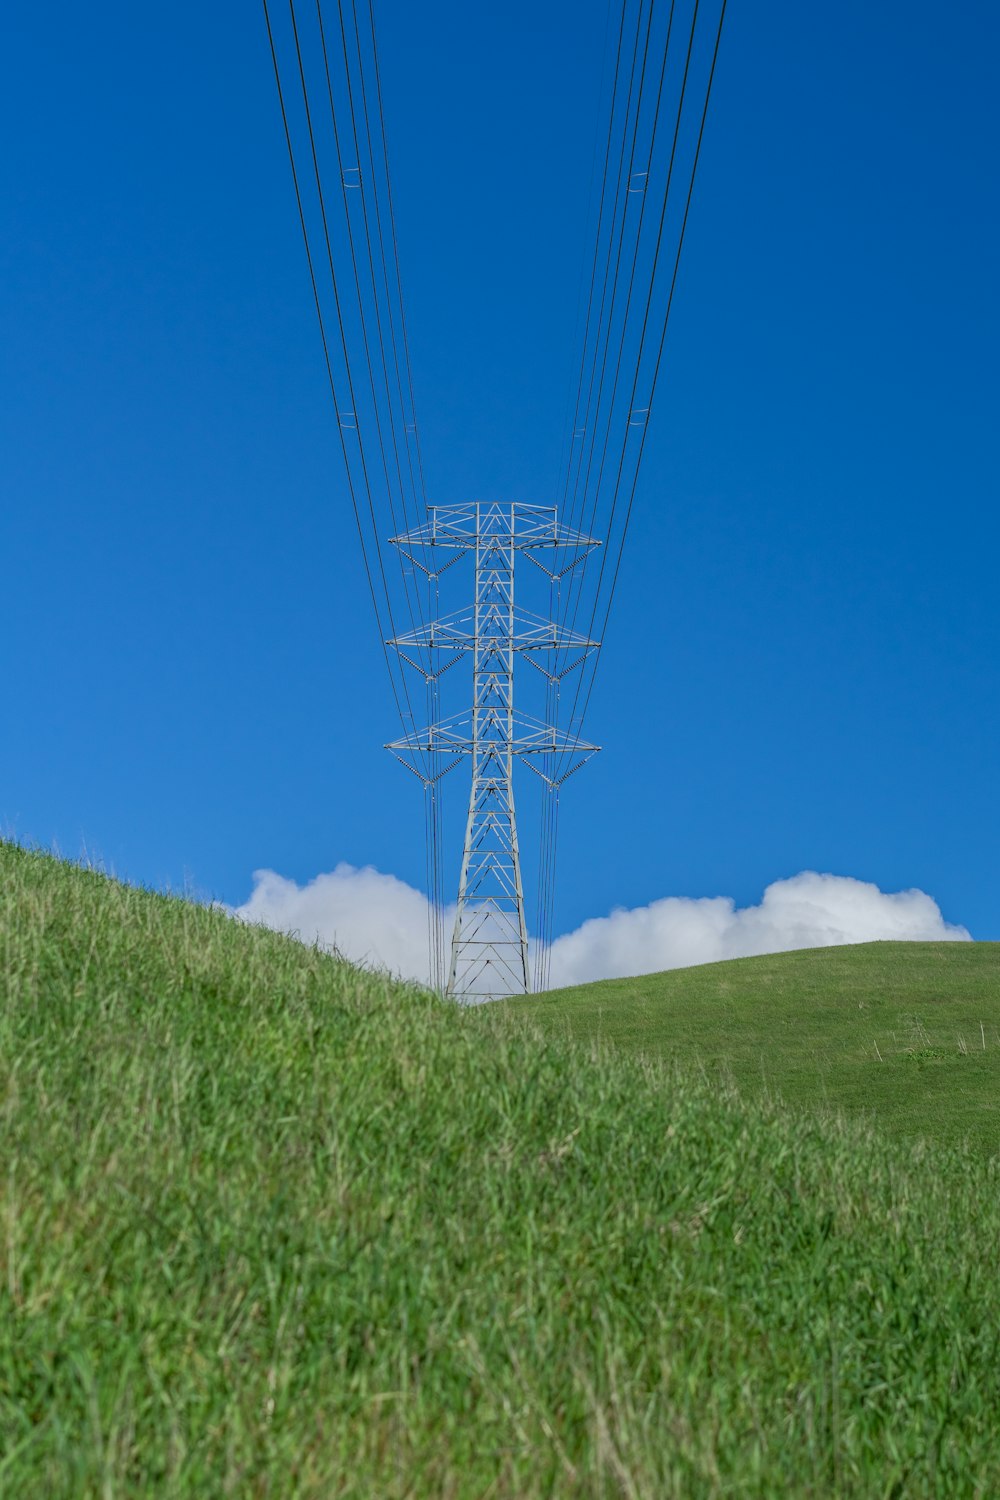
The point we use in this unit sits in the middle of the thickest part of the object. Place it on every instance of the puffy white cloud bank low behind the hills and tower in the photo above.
(379, 920)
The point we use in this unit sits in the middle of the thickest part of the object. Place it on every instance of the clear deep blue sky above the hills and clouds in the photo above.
(801, 670)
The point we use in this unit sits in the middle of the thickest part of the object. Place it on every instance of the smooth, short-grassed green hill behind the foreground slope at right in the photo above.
(903, 1033)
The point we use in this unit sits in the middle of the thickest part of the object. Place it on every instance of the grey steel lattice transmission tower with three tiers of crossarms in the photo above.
(490, 946)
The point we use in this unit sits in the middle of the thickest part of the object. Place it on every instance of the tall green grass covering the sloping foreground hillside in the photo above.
(271, 1226)
